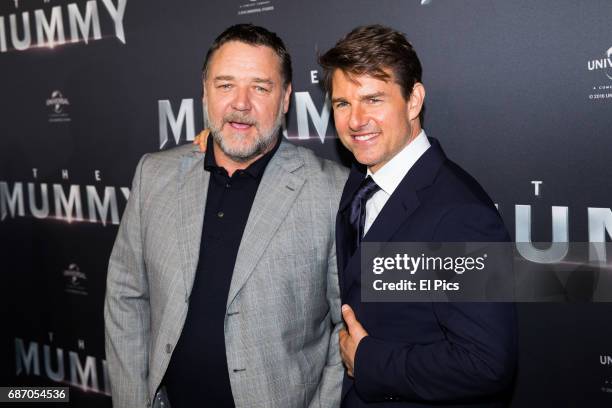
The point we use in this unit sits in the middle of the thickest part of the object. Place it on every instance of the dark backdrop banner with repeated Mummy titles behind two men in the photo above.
(518, 92)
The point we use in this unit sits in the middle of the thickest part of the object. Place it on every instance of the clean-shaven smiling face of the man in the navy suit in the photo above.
(372, 118)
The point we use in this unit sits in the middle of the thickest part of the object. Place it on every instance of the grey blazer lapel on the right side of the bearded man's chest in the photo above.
(278, 189)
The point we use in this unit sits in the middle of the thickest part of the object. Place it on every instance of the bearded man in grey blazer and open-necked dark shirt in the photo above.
(222, 287)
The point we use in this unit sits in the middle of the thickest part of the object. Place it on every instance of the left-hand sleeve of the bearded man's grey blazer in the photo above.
(126, 308)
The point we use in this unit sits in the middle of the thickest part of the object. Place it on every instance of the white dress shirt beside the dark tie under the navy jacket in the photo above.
(391, 174)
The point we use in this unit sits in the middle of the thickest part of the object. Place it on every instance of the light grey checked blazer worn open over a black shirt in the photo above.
(283, 309)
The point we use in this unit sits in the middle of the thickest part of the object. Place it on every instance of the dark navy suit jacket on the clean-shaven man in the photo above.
(425, 354)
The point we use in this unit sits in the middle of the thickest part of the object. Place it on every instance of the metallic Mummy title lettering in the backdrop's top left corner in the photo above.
(55, 25)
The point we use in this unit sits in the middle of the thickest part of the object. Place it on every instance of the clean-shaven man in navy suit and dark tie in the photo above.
(404, 189)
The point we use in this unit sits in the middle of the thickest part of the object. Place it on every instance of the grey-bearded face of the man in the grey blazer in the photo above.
(244, 100)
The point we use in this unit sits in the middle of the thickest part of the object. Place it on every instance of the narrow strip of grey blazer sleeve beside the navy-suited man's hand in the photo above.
(330, 387)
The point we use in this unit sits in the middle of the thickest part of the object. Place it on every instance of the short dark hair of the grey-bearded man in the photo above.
(252, 35)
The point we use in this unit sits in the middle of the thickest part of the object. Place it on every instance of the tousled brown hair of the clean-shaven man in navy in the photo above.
(369, 50)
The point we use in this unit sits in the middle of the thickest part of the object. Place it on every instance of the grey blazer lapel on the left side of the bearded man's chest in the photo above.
(193, 187)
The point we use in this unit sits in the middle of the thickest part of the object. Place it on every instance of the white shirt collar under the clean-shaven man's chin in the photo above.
(389, 176)
